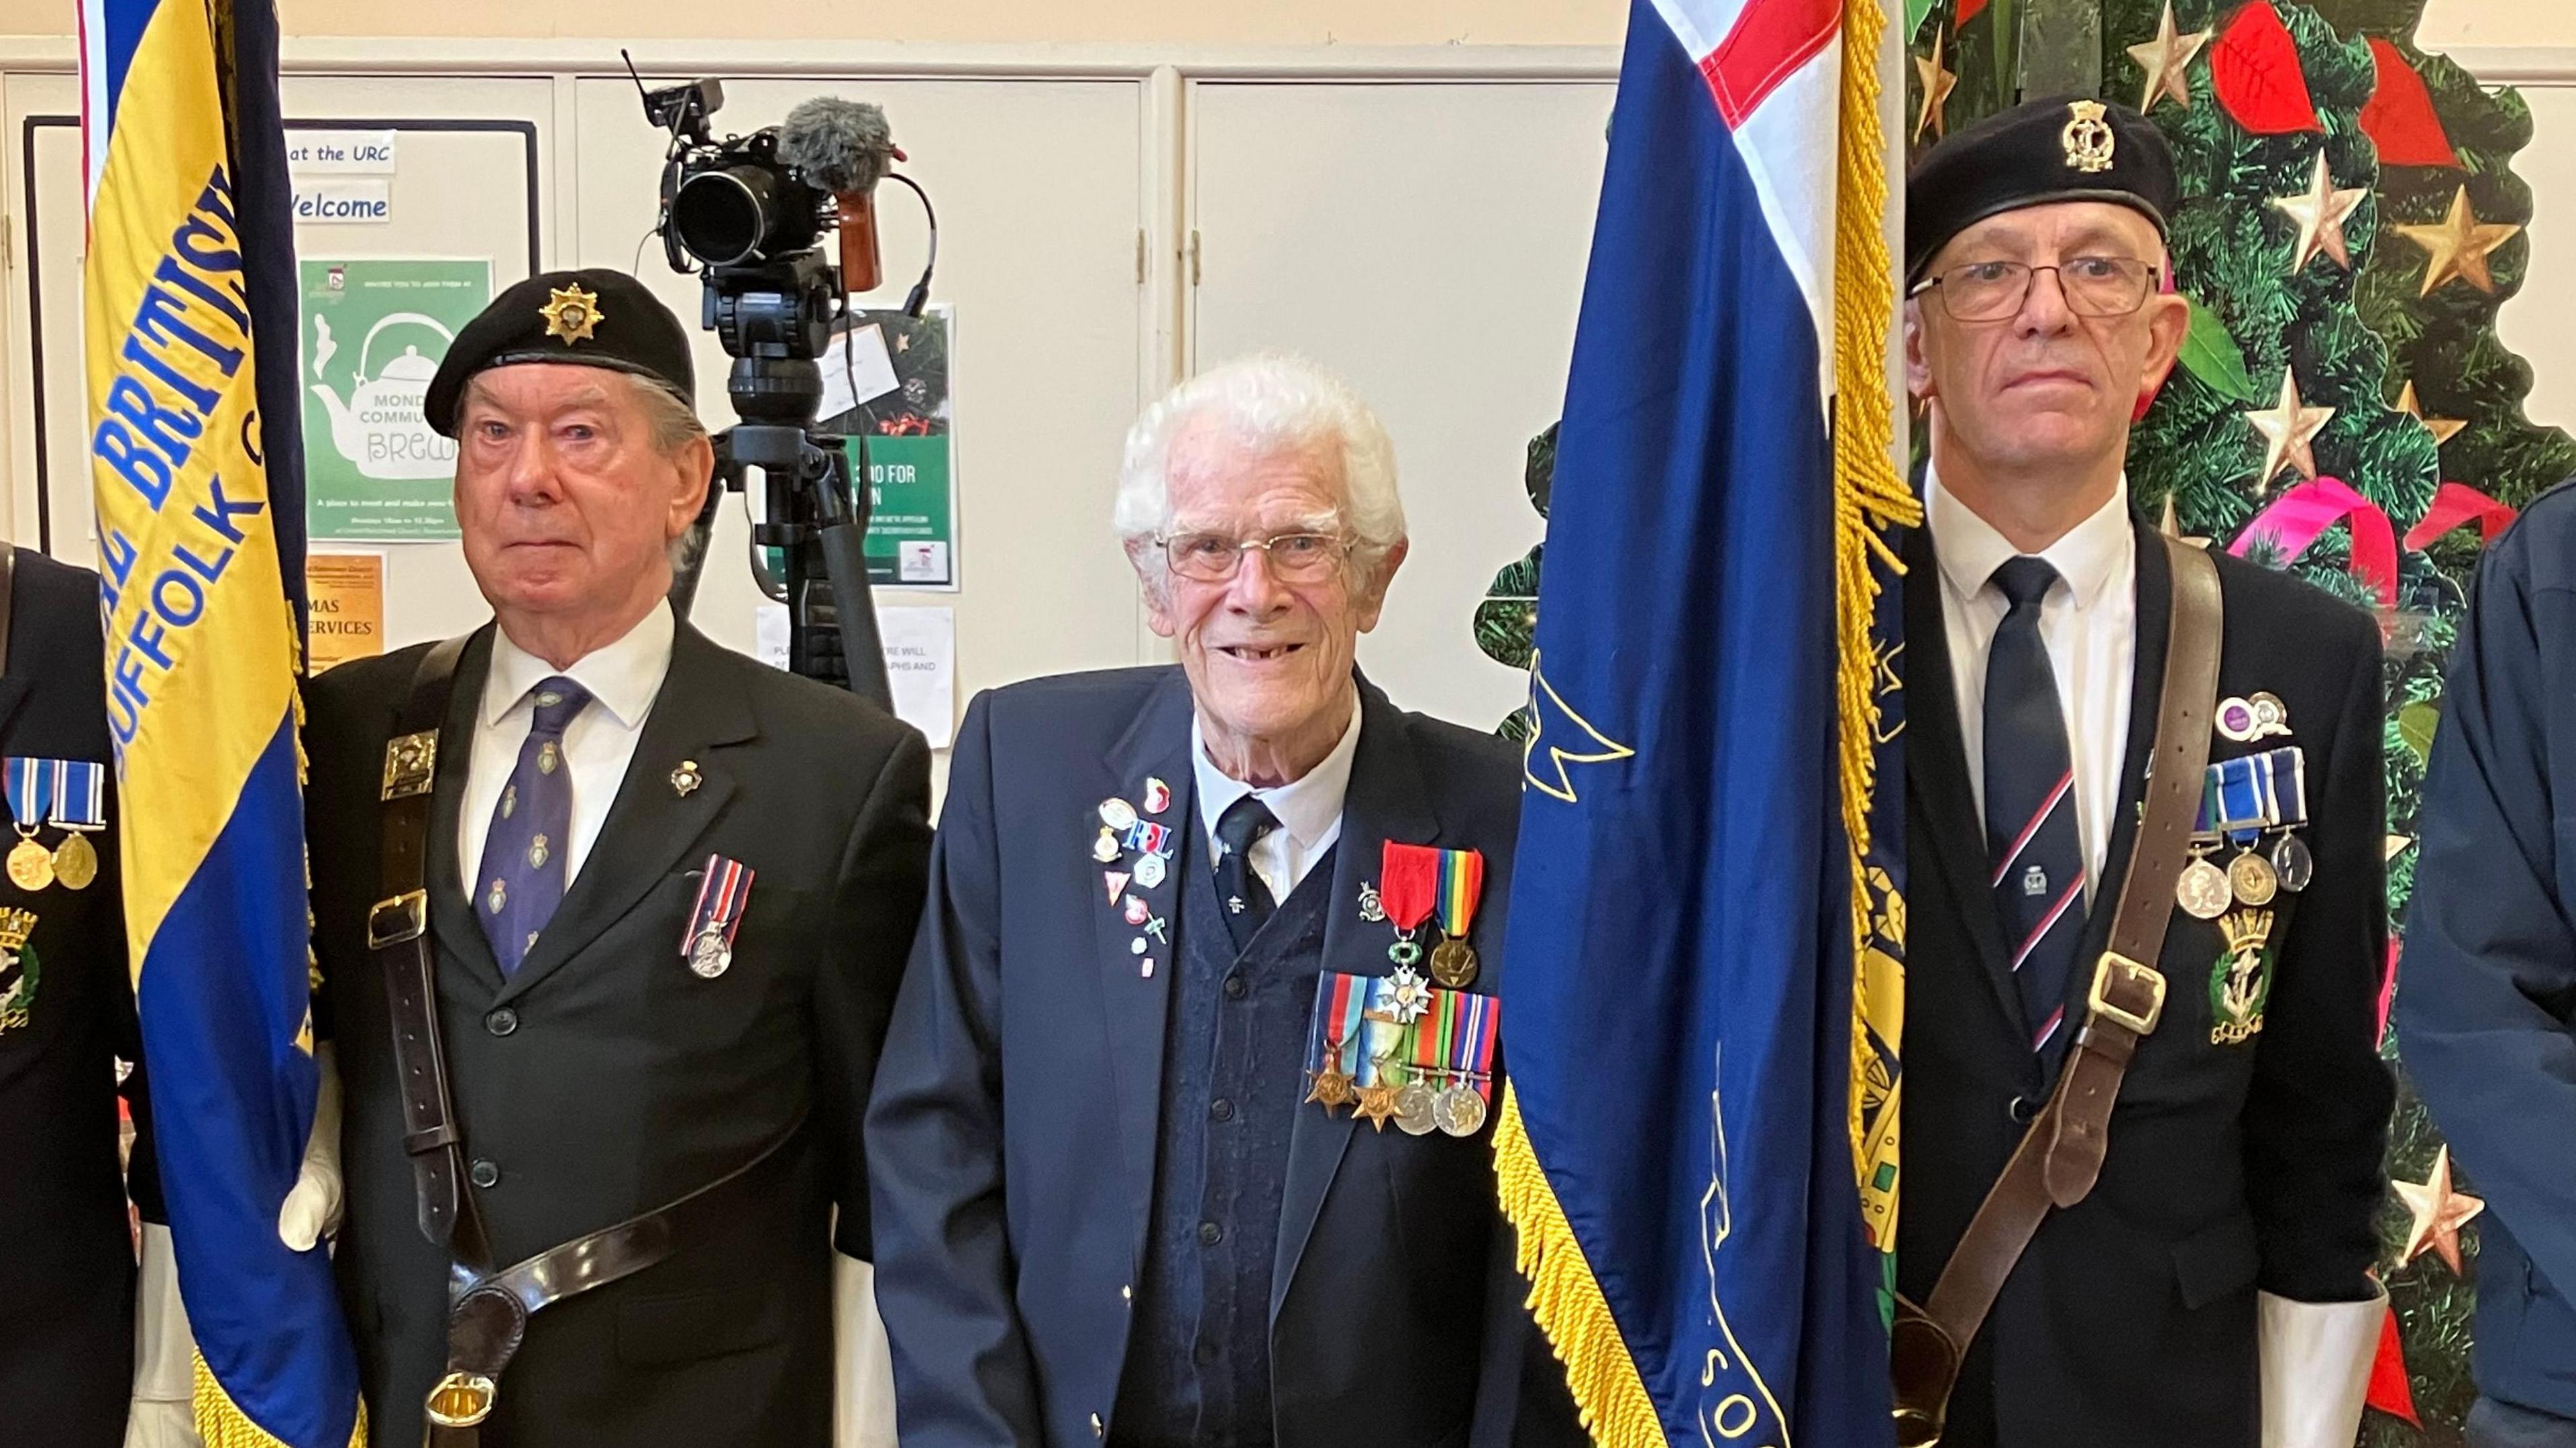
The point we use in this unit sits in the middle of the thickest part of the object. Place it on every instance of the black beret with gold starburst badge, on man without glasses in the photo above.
(586, 318)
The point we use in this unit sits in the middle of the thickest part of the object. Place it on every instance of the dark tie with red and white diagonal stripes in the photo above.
(2031, 808)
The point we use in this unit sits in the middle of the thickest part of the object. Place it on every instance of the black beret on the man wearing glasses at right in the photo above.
(2067, 148)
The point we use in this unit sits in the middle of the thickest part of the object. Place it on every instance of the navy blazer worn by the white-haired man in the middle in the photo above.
(1016, 1112)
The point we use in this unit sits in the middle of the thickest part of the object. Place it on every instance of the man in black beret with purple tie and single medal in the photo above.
(609, 924)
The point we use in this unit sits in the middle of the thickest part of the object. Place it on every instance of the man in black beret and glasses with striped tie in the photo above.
(2142, 1099)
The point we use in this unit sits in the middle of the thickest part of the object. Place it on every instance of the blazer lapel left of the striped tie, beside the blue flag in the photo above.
(1938, 777)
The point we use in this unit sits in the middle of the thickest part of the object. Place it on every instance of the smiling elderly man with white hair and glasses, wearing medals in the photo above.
(1194, 939)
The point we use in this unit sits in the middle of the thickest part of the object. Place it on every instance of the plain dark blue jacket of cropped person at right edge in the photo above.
(2487, 998)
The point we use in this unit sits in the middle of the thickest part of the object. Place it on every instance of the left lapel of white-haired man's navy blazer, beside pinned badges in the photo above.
(1135, 1006)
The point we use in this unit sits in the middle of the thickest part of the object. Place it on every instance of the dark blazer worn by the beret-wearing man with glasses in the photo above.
(2132, 1318)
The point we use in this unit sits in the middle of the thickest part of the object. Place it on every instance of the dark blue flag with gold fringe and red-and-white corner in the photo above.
(1704, 993)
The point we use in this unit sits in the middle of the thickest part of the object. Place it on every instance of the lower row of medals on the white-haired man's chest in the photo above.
(1397, 1050)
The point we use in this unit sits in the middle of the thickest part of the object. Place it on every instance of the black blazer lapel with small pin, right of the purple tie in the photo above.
(653, 826)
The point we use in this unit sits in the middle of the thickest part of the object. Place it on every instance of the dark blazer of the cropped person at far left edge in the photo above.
(68, 1269)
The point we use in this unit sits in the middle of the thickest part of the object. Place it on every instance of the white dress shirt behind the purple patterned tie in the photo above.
(599, 743)
